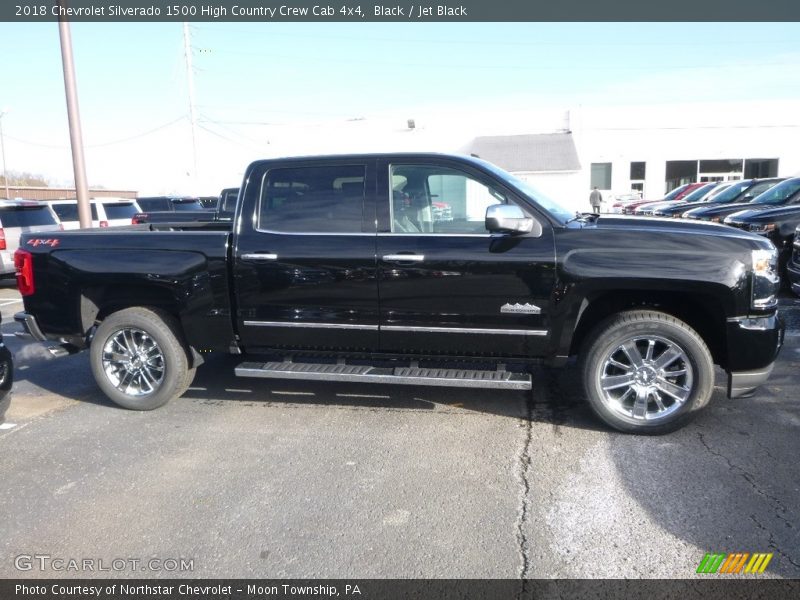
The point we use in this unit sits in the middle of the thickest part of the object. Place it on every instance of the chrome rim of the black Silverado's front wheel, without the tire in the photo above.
(646, 378)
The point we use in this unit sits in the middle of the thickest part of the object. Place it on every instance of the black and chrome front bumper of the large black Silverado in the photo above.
(753, 346)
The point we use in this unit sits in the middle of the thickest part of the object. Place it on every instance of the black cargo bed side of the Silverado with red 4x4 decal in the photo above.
(182, 267)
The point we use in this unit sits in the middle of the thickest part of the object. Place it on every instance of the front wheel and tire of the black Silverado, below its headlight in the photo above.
(646, 372)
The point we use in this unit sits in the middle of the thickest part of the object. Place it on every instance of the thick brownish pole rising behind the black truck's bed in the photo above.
(73, 112)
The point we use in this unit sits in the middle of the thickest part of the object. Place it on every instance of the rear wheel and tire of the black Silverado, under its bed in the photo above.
(138, 360)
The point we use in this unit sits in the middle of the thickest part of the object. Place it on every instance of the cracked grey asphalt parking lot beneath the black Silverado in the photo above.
(245, 478)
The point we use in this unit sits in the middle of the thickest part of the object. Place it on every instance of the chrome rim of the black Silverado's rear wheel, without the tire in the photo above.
(133, 362)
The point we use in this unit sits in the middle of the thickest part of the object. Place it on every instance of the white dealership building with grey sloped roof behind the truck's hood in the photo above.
(652, 149)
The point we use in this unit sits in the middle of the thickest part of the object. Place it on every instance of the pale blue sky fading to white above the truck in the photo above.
(258, 83)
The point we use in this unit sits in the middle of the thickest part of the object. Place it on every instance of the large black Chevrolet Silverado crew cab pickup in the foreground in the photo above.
(335, 269)
